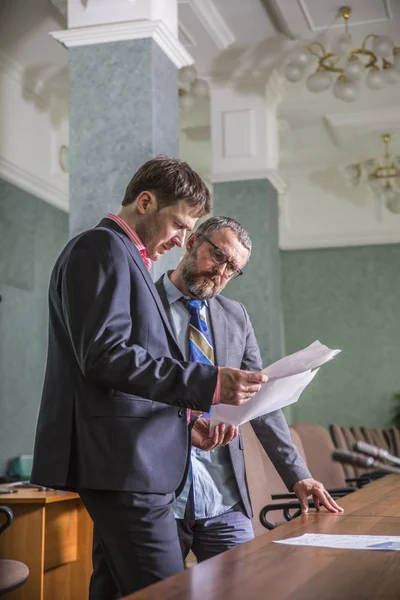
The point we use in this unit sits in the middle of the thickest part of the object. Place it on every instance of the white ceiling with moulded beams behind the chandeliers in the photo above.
(242, 41)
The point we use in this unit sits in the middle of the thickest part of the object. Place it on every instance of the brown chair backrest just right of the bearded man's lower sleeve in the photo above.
(318, 448)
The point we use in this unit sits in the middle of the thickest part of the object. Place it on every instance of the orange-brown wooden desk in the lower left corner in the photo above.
(52, 535)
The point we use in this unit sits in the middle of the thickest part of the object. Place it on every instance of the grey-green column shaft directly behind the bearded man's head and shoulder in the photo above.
(254, 204)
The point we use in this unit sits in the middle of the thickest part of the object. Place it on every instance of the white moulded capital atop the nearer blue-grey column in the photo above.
(102, 21)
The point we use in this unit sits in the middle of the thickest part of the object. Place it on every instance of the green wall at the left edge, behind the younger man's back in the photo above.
(32, 233)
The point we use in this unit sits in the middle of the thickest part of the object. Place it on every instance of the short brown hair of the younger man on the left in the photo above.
(170, 180)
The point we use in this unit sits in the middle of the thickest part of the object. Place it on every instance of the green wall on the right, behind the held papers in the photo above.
(348, 298)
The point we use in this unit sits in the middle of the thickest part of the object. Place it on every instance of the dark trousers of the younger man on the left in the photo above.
(135, 541)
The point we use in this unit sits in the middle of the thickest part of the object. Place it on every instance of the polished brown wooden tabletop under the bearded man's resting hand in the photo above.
(261, 569)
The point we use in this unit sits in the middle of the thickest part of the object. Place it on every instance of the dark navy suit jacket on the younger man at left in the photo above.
(113, 410)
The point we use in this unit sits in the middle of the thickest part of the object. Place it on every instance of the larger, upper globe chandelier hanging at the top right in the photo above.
(343, 67)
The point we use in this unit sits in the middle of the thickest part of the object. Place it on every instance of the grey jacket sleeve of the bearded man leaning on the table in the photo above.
(272, 429)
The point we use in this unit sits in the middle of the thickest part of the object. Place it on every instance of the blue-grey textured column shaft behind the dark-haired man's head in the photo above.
(123, 111)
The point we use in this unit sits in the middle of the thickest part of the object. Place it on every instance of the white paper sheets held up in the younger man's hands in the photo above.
(288, 377)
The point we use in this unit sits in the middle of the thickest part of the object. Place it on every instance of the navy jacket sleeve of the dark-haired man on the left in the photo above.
(96, 302)
